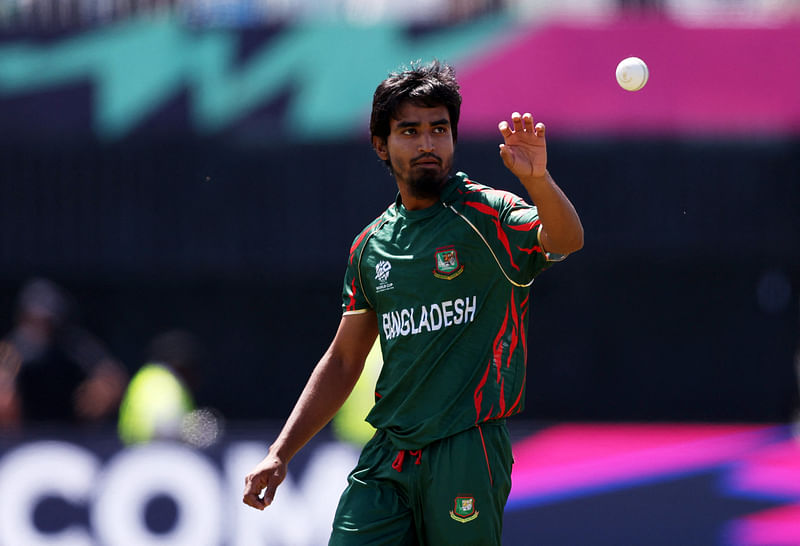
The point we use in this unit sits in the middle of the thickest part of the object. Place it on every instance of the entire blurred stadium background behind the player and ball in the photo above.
(180, 182)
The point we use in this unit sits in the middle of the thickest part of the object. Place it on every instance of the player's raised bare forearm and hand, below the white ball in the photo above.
(524, 153)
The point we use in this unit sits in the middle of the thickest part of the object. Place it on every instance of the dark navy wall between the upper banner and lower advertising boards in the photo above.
(681, 306)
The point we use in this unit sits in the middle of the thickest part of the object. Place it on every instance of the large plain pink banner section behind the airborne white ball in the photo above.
(703, 81)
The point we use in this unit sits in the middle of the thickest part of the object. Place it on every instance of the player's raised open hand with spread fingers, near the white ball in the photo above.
(524, 150)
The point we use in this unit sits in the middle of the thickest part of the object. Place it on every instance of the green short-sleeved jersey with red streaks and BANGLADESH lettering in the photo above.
(450, 286)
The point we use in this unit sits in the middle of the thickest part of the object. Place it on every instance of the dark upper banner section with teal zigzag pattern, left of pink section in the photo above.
(305, 82)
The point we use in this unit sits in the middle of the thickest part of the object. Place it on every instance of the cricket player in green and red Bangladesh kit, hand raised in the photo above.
(443, 276)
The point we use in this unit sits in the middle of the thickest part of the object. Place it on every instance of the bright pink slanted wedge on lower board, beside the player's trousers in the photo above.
(585, 456)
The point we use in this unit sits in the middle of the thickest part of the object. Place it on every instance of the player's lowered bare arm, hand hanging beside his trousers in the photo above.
(326, 390)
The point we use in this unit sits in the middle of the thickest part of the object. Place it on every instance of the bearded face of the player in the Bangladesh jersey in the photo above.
(420, 148)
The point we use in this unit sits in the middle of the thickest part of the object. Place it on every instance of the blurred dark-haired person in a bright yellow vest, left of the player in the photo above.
(159, 403)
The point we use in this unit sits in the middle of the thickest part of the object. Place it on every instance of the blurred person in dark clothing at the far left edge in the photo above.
(51, 368)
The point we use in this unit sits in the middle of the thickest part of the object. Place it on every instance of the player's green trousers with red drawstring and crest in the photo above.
(452, 491)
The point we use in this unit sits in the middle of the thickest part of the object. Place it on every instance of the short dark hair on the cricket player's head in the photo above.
(429, 85)
